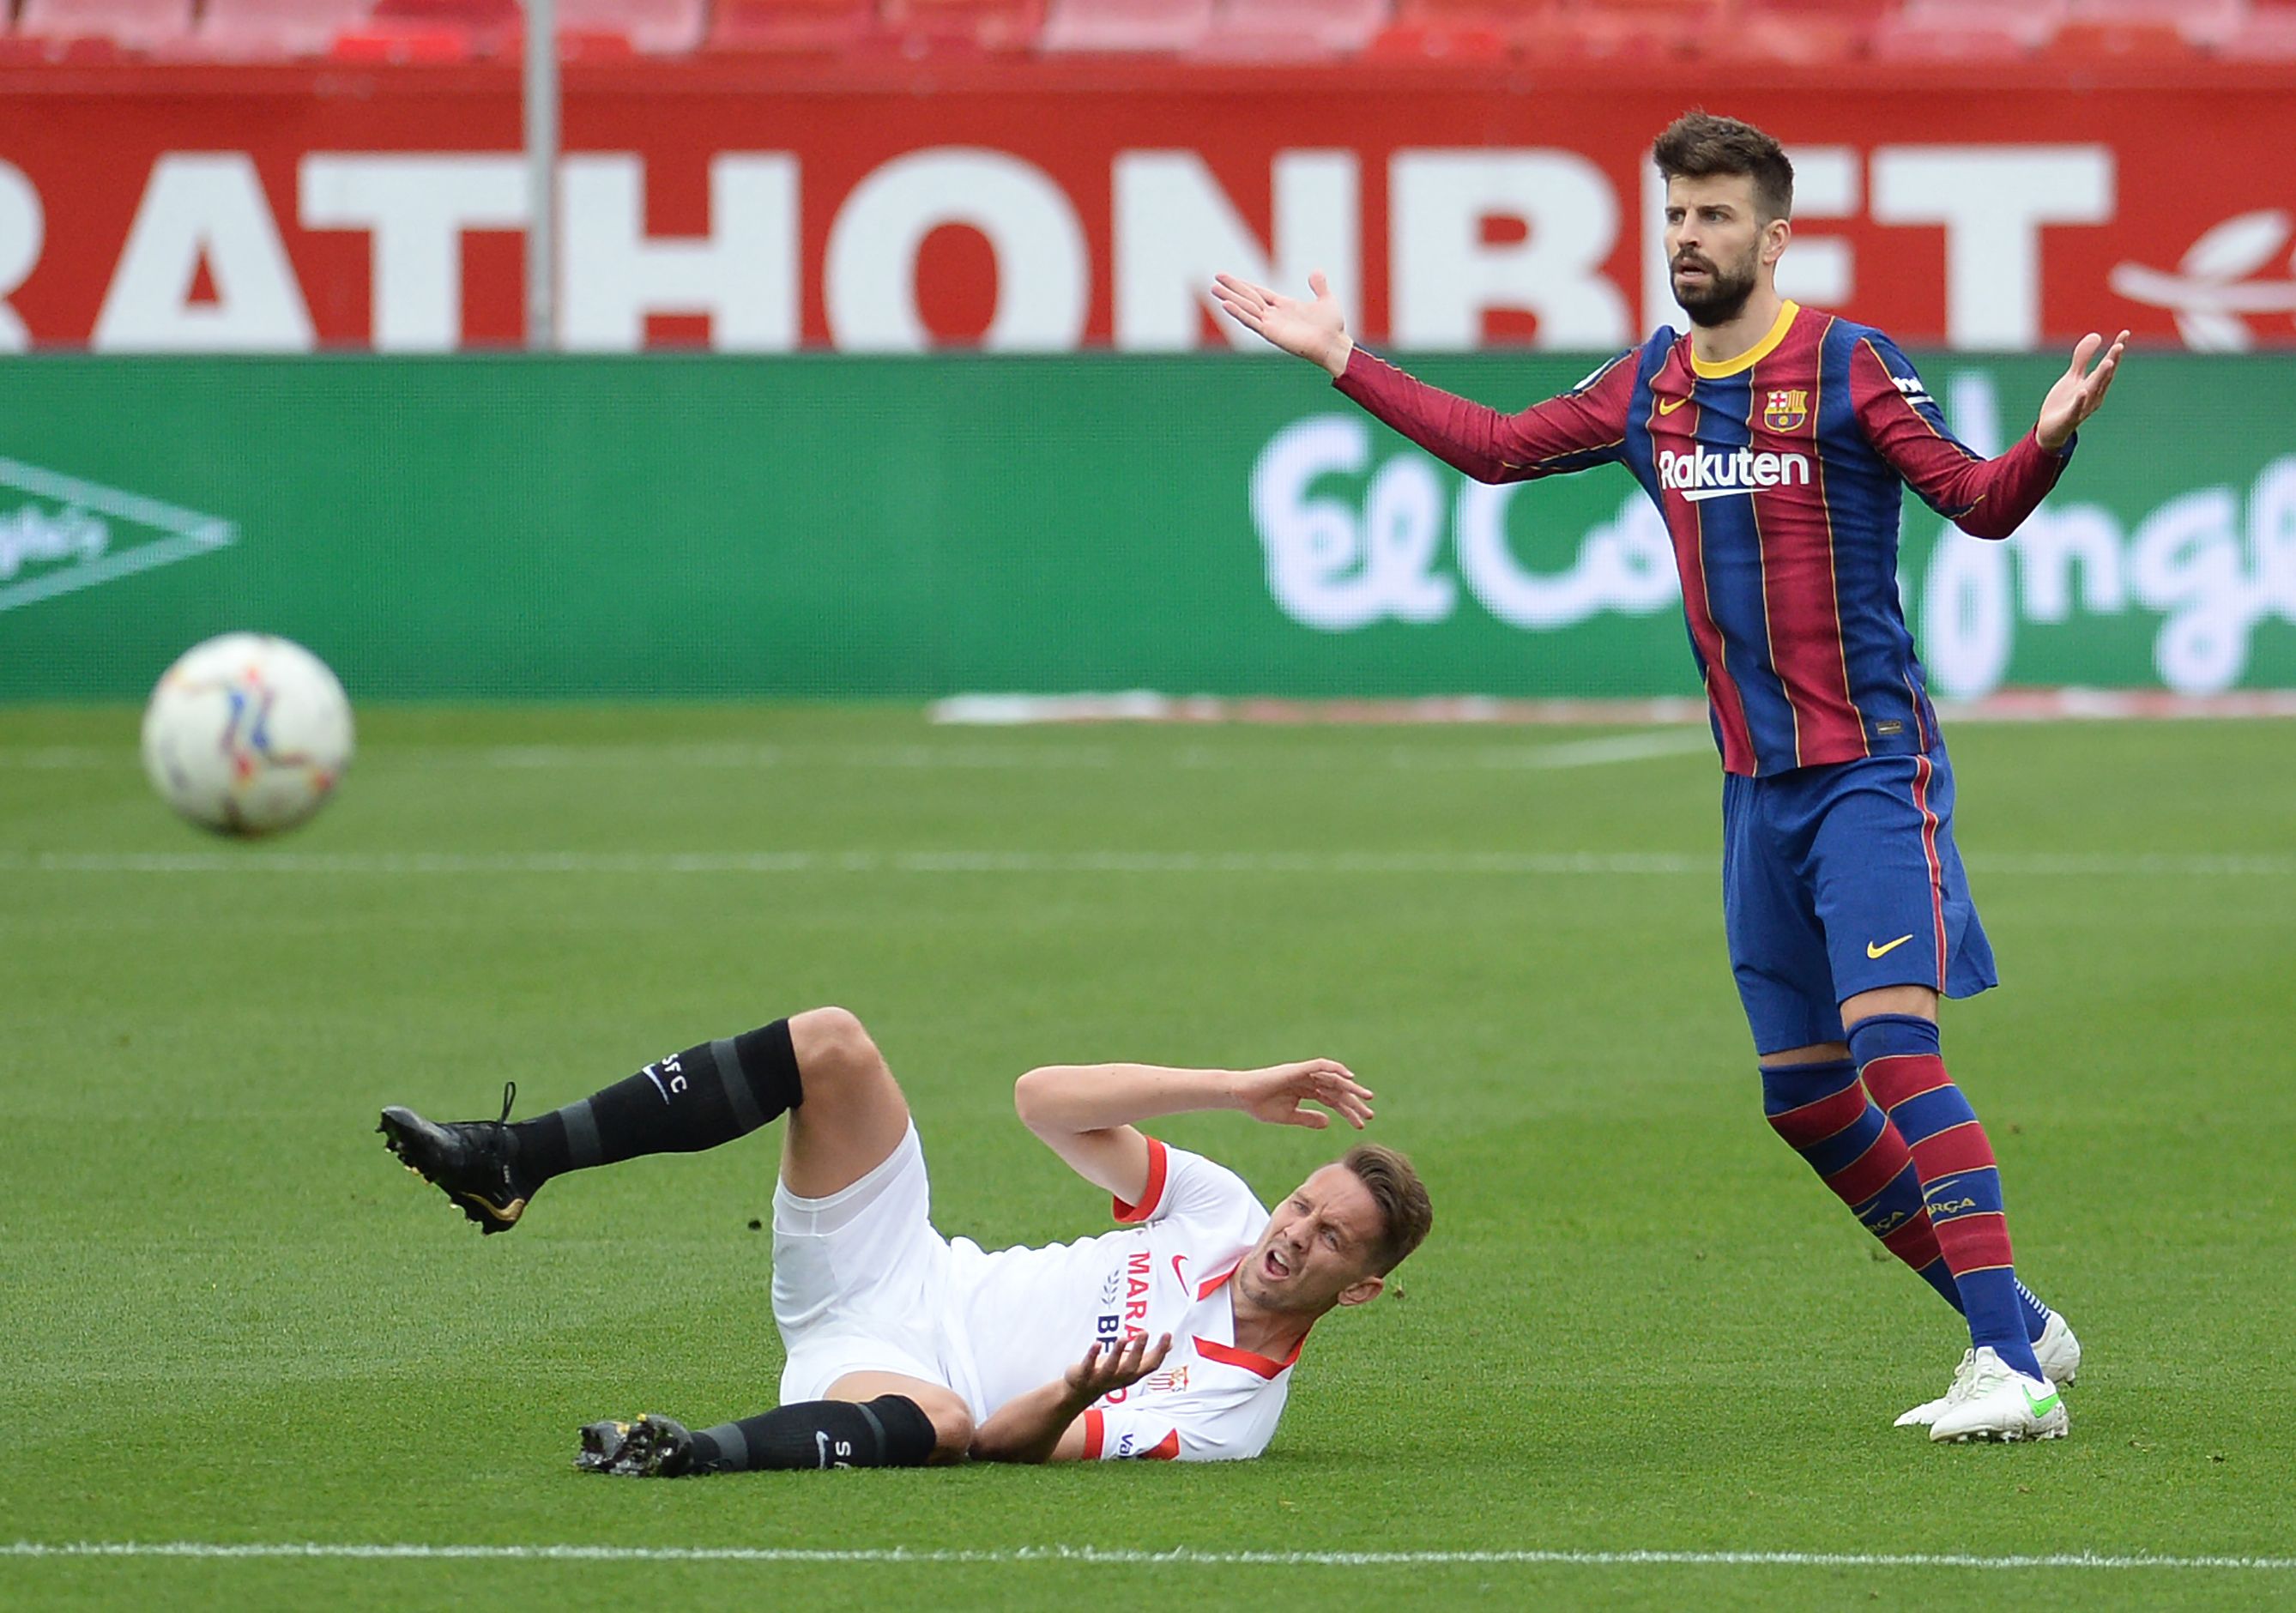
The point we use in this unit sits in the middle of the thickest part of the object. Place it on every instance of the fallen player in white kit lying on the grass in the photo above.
(1170, 1339)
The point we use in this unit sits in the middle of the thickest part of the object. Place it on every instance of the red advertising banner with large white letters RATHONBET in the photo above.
(295, 210)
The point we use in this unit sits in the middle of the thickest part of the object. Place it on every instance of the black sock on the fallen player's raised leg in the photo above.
(683, 1105)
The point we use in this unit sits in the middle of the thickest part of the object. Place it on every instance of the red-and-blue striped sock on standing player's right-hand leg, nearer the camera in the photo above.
(1905, 1070)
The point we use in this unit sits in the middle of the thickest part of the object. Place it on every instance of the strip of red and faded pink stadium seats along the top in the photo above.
(2074, 36)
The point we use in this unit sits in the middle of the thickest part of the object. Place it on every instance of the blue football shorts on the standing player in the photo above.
(1840, 880)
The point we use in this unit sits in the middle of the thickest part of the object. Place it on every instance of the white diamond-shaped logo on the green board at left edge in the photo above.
(61, 533)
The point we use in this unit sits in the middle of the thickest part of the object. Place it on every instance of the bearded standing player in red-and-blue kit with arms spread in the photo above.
(1774, 442)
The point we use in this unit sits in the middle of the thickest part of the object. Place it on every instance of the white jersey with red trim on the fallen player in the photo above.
(1030, 1314)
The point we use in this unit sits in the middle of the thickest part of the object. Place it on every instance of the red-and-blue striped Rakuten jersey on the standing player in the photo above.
(1778, 476)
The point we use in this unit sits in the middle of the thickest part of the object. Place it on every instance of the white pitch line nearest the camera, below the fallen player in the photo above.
(1119, 1557)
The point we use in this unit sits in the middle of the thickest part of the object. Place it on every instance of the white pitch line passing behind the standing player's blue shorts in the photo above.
(1312, 864)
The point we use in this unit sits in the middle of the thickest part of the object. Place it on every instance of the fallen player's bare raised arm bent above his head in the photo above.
(1087, 1114)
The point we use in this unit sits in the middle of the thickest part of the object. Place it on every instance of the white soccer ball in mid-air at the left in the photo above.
(247, 735)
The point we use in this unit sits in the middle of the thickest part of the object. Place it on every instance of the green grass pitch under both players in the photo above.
(1640, 1325)
